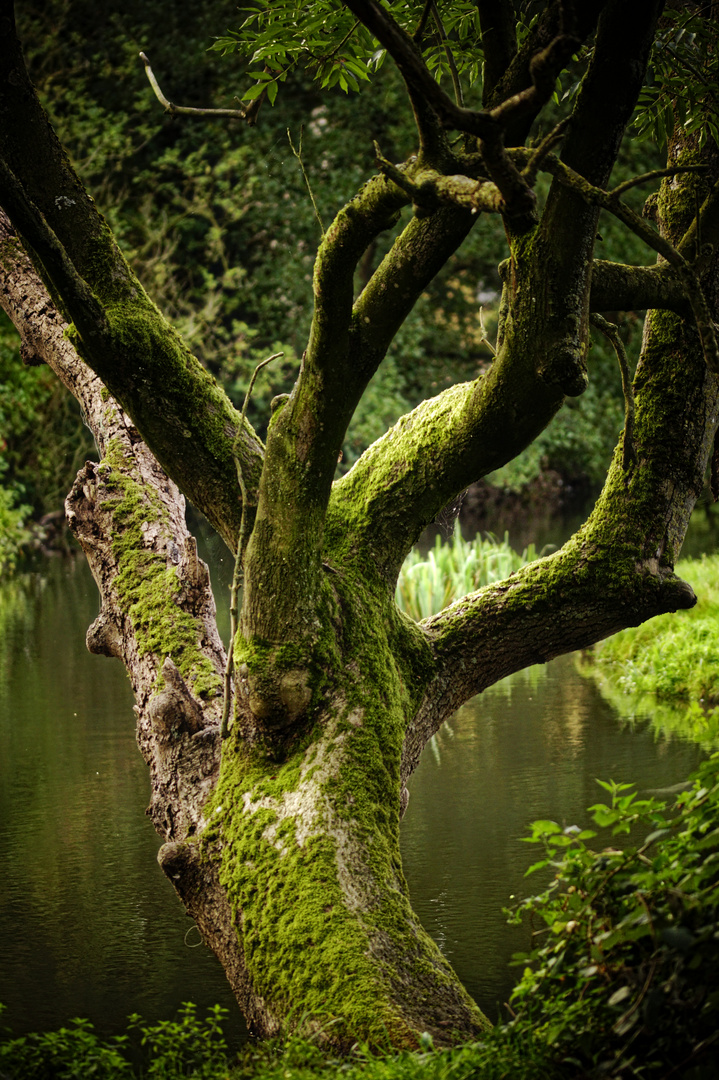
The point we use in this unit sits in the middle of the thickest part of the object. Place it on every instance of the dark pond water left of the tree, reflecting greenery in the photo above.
(91, 926)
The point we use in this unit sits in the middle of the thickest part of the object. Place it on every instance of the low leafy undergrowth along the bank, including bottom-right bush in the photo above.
(619, 979)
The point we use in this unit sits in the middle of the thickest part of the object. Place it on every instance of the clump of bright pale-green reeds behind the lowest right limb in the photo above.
(430, 582)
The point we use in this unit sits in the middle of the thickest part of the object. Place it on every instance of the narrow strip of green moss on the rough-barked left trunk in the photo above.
(147, 587)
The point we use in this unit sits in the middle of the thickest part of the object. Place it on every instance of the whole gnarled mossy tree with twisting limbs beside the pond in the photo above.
(279, 772)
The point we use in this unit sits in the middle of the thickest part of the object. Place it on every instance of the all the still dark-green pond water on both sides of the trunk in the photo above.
(90, 926)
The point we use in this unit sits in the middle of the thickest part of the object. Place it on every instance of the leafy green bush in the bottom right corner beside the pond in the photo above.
(621, 981)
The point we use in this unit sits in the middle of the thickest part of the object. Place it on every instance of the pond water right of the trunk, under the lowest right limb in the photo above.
(531, 748)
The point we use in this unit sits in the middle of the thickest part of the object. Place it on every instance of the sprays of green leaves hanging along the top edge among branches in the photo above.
(328, 42)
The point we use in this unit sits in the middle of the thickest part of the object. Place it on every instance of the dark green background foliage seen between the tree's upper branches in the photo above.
(219, 224)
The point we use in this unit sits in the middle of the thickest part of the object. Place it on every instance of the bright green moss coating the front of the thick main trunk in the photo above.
(319, 894)
